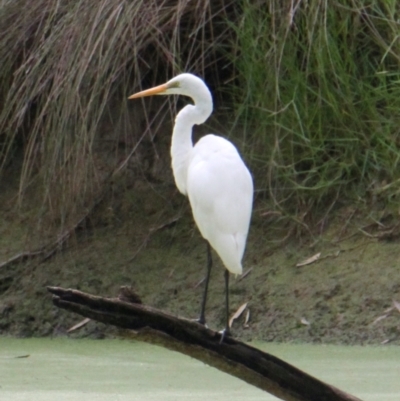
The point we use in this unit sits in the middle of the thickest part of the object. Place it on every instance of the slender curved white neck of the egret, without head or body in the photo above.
(182, 143)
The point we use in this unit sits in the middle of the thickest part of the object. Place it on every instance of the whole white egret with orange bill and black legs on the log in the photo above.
(214, 177)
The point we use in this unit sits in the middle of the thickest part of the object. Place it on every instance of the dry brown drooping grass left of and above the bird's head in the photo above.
(67, 69)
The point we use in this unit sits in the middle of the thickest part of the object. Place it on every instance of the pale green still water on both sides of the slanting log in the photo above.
(66, 370)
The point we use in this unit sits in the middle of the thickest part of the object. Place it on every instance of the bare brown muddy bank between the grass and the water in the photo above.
(146, 237)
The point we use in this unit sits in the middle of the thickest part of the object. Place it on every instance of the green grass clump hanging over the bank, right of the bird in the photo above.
(328, 111)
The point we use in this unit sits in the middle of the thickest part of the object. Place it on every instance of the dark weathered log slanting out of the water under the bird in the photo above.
(258, 368)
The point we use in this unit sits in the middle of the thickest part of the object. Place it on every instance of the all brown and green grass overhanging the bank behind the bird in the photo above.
(315, 89)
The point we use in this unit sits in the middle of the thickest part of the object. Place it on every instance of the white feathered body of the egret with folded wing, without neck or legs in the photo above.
(220, 190)
